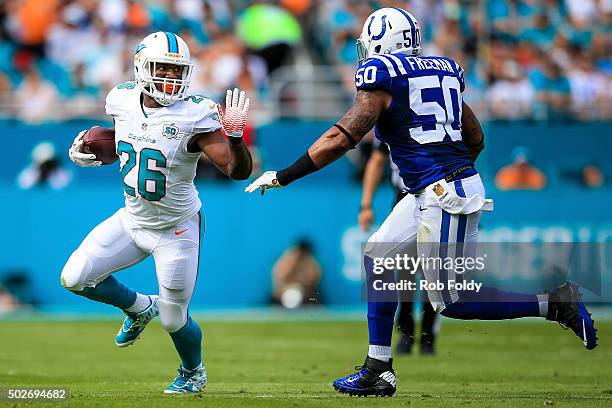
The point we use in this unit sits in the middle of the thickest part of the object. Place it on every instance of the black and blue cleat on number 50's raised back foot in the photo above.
(565, 306)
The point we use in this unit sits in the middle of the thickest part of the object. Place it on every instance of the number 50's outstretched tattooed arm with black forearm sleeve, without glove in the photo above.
(342, 137)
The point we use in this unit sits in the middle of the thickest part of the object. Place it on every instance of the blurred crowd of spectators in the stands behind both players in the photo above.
(524, 59)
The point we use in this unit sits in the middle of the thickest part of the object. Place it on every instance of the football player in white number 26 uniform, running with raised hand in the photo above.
(160, 133)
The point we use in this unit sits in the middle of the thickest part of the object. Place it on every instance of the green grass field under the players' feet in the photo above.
(291, 364)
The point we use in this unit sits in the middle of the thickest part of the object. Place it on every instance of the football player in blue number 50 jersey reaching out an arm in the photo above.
(415, 104)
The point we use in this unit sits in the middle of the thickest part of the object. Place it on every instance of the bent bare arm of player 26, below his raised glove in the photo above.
(232, 158)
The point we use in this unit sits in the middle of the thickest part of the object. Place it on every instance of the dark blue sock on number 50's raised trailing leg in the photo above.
(493, 304)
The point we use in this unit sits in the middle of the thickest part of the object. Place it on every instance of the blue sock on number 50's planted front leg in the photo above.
(381, 314)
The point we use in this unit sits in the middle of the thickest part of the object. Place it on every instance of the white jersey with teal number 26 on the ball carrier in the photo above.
(156, 167)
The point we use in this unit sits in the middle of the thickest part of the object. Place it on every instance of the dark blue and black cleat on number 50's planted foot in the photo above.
(375, 377)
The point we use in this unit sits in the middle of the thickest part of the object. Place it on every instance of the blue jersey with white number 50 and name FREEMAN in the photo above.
(422, 127)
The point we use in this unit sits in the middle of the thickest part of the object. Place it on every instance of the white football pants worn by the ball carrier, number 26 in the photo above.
(118, 243)
